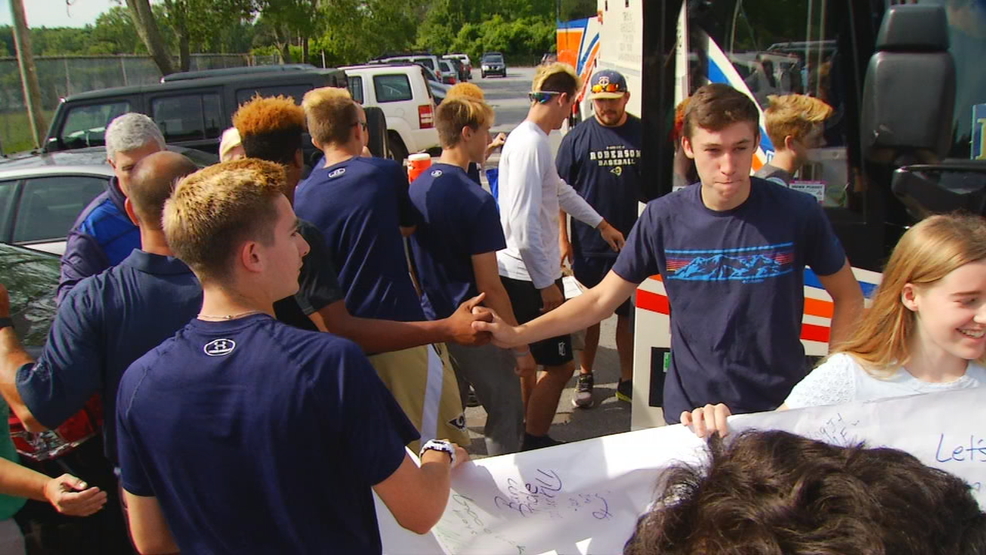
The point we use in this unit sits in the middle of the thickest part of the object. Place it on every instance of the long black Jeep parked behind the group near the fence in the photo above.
(191, 111)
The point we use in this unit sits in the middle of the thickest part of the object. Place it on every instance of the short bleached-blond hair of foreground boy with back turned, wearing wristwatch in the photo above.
(213, 211)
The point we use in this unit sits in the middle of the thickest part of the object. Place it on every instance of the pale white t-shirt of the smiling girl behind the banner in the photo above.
(841, 379)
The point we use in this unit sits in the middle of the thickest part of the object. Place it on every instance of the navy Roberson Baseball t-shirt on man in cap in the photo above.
(602, 164)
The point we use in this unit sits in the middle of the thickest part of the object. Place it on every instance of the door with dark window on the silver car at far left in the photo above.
(46, 207)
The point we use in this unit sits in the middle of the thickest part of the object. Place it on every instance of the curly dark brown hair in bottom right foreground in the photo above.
(777, 493)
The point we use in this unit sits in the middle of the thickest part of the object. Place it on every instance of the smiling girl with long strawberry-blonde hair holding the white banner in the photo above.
(924, 332)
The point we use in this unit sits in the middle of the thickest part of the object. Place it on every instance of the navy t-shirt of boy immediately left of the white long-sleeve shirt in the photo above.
(459, 220)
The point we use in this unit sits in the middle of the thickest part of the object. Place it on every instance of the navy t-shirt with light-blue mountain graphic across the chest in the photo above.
(735, 282)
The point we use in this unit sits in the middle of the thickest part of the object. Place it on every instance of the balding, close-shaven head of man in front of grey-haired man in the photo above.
(151, 182)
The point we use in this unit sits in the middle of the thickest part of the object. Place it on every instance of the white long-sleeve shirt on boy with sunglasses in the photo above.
(530, 195)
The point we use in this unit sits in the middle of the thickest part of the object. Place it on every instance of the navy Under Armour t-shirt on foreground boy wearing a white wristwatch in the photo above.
(258, 437)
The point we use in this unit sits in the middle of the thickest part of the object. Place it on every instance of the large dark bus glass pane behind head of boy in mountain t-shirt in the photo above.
(779, 48)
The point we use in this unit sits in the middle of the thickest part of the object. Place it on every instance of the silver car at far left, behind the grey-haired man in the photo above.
(41, 195)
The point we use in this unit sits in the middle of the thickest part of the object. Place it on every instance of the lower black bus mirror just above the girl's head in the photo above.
(936, 189)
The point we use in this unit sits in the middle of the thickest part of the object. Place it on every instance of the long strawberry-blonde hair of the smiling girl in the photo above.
(925, 254)
